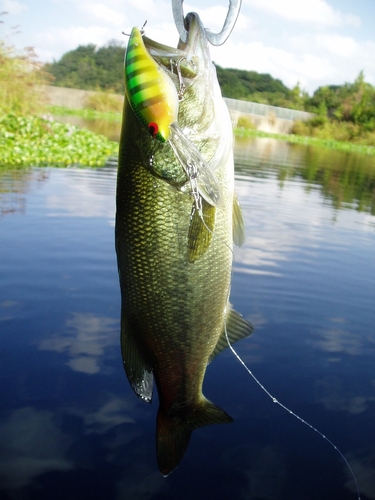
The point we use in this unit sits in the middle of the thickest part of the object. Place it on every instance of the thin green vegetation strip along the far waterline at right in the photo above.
(298, 139)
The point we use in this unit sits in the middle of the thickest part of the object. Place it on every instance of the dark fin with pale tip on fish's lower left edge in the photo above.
(139, 374)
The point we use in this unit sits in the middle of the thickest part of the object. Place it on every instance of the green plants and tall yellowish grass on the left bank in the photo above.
(28, 134)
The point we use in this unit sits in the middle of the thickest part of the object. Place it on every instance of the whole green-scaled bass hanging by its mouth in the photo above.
(174, 245)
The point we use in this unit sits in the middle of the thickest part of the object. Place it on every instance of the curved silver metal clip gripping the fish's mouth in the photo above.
(213, 38)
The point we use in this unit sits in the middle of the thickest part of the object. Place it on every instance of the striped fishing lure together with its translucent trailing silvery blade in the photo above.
(154, 99)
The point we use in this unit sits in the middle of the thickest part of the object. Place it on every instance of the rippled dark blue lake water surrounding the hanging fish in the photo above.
(70, 425)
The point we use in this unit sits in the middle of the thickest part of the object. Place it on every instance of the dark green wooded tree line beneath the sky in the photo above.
(91, 68)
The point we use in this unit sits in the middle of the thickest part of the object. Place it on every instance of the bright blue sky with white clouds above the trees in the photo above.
(313, 42)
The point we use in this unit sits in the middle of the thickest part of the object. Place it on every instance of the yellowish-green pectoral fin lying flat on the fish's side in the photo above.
(200, 230)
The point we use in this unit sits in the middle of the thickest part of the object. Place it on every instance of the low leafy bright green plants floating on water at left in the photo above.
(35, 141)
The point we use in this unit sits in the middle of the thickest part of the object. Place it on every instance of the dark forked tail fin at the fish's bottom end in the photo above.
(173, 432)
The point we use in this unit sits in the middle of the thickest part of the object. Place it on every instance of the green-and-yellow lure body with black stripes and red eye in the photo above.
(151, 93)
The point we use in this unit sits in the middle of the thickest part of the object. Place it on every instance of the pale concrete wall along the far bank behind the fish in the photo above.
(266, 118)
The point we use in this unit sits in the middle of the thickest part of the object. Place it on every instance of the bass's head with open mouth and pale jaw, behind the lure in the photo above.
(202, 114)
